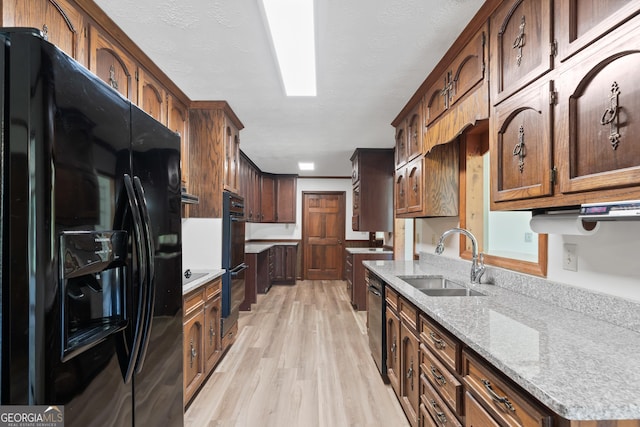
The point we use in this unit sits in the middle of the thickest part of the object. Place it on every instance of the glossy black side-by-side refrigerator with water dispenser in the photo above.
(90, 239)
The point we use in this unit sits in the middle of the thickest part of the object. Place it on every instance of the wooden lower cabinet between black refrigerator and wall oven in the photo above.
(202, 346)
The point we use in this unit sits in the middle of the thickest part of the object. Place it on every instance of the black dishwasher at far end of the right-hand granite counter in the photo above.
(376, 323)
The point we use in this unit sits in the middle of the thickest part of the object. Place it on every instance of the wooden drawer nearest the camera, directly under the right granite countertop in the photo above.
(508, 405)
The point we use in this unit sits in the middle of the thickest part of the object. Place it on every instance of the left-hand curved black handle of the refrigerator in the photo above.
(142, 289)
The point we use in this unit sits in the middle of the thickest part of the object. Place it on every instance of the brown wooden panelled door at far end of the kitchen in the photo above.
(323, 218)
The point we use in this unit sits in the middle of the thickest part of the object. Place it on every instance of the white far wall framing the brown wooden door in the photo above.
(294, 231)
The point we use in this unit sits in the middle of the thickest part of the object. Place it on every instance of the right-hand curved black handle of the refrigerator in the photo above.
(150, 279)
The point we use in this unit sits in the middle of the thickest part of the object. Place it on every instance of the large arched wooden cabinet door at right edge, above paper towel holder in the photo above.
(600, 116)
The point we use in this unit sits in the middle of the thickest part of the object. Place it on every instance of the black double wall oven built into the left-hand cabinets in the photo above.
(233, 232)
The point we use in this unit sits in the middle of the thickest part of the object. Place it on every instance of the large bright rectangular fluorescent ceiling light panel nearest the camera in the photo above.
(292, 27)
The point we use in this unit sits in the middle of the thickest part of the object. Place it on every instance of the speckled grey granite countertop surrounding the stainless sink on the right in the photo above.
(580, 367)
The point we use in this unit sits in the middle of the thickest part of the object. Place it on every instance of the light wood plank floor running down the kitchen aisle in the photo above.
(301, 358)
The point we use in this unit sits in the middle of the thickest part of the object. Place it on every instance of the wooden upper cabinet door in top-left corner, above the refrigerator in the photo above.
(60, 23)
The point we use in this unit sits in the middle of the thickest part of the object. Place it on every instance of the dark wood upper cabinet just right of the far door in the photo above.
(372, 180)
